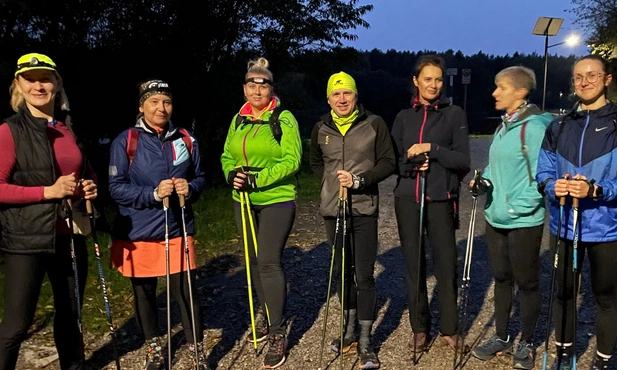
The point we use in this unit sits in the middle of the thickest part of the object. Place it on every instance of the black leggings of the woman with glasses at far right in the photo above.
(603, 268)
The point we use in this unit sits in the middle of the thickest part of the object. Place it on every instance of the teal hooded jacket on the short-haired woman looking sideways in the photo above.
(514, 201)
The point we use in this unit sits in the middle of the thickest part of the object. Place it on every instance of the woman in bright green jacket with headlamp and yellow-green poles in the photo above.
(262, 154)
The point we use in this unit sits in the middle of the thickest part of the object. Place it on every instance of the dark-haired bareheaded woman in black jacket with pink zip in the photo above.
(436, 132)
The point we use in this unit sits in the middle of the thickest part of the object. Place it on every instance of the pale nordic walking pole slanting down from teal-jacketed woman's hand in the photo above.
(467, 272)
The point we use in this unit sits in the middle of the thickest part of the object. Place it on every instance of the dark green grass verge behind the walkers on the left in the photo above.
(216, 235)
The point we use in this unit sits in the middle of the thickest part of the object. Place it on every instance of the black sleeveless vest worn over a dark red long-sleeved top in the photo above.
(30, 228)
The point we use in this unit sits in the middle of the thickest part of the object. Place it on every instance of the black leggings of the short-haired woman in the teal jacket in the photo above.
(514, 255)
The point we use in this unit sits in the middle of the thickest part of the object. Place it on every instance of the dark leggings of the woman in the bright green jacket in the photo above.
(272, 227)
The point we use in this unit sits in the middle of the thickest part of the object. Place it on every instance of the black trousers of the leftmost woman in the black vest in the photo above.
(23, 278)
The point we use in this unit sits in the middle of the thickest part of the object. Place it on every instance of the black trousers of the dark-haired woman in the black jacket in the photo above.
(439, 225)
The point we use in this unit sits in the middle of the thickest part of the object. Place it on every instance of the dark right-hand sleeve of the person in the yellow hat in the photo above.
(385, 159)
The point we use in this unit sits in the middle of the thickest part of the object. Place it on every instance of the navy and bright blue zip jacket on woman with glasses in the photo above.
(585, 143)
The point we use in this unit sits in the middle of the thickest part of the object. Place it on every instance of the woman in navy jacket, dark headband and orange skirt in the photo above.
(149, 162)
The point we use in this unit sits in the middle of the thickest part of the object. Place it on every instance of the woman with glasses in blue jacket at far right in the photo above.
(578, 159)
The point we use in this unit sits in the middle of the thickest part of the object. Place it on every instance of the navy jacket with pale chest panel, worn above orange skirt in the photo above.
(131, 185)
